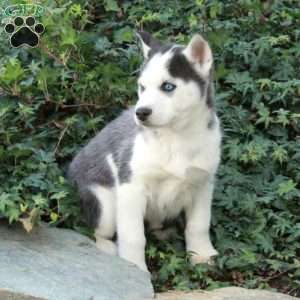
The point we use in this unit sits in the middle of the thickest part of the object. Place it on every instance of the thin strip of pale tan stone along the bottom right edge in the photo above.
(229, 293)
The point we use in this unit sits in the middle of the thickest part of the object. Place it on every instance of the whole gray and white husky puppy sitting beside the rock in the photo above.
(157, 159)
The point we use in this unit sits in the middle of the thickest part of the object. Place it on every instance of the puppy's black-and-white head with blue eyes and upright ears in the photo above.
(173, 81)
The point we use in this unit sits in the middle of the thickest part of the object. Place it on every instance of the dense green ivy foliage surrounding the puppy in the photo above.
(57, 96)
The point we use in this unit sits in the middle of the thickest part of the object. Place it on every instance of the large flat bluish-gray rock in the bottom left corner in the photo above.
(60, 264)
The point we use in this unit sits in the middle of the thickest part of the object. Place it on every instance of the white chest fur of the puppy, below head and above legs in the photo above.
(171, 167)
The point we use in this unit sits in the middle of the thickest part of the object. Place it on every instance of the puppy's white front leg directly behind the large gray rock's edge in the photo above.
(131, 205)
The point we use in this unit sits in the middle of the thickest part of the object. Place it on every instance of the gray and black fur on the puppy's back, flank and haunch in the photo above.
(90, 165)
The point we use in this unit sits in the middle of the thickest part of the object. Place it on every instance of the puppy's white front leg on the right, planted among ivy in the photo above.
(198, 216)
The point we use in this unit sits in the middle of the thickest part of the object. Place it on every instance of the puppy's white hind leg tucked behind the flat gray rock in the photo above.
(106, 224)
